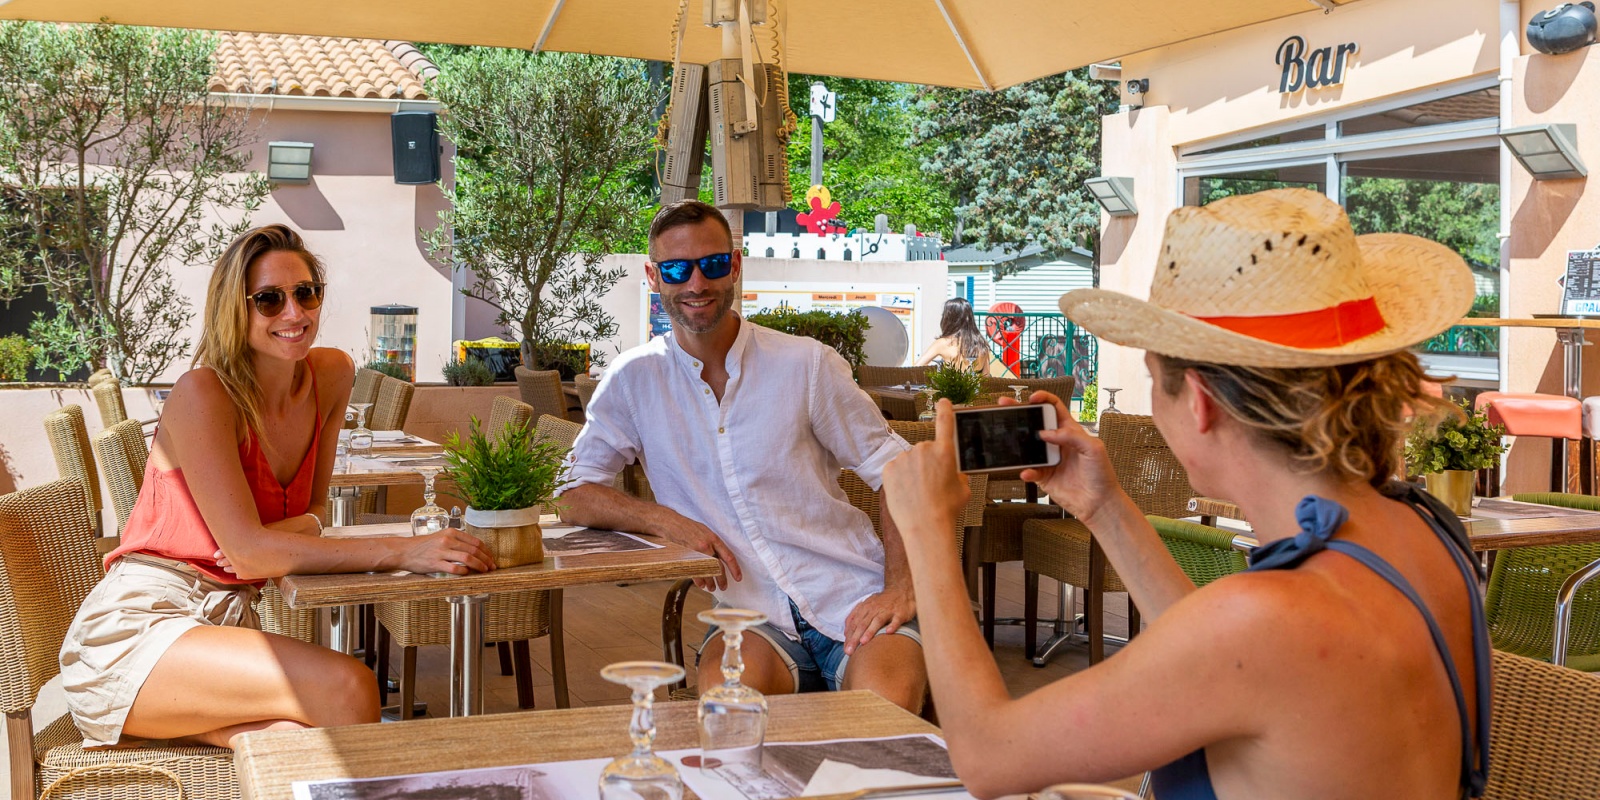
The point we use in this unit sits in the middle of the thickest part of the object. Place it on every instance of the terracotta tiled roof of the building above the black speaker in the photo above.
(321, 66)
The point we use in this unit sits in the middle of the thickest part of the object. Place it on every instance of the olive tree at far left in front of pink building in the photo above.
(114, 156)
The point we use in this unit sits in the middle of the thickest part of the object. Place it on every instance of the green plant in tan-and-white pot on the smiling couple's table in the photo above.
(506, 482)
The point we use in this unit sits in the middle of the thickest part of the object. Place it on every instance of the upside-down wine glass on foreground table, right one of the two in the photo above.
(732, 716)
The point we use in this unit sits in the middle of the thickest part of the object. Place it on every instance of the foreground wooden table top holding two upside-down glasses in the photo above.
(270, 762)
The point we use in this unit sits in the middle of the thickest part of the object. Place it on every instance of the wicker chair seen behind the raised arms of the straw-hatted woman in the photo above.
(1063, 550)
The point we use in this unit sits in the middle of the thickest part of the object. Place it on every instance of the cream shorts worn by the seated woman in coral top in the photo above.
(124, 628)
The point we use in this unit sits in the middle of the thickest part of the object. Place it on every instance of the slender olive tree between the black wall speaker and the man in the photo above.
(545, 145)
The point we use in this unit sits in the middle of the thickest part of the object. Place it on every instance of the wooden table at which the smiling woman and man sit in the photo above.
(466, 596)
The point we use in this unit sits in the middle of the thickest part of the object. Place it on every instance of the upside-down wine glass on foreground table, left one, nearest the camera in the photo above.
(642, 775)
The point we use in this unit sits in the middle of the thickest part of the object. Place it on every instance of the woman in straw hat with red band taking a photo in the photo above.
(1351, 660)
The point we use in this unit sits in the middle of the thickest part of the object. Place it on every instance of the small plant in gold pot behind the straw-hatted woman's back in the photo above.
(1447, 454)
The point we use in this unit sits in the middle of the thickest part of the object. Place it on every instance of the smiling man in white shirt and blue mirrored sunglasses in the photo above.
(743, 431)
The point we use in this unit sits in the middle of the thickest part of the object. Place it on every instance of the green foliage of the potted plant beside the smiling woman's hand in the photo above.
(510, 473)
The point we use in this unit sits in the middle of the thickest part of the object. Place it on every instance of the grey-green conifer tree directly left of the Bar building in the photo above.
(1017, 159)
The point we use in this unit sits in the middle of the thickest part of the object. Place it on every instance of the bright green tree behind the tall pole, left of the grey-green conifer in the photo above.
(870, 164)
